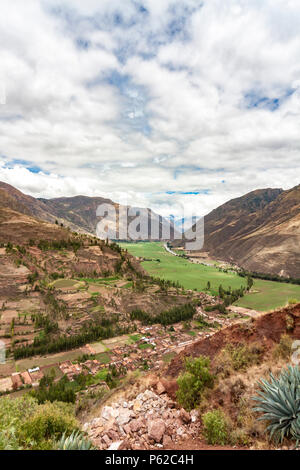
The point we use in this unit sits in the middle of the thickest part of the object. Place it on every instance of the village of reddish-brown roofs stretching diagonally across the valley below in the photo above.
(149, 348)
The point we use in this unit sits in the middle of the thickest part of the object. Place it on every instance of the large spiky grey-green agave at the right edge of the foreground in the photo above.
(279, 401)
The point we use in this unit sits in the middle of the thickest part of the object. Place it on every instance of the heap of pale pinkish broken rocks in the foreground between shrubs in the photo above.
(149, 421)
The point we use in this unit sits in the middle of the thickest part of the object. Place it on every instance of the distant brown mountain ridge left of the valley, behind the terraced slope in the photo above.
(79, 214)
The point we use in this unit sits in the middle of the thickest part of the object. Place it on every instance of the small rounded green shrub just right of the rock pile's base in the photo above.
(215, 427)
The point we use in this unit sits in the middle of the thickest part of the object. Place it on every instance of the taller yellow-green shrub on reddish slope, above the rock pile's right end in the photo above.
(193, 381)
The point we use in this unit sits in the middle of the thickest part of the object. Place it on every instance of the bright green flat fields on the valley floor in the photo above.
(267, 295)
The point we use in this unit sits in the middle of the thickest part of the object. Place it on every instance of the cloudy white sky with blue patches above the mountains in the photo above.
(177, 105)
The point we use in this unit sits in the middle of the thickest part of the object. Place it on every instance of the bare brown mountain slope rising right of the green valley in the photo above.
(259, 231)
